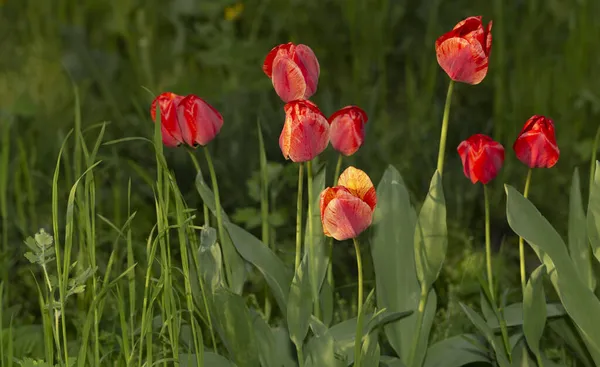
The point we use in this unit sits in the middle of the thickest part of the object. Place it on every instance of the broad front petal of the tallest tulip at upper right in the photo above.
(462, 61)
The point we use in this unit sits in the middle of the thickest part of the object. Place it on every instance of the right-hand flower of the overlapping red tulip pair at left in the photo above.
(199, 121)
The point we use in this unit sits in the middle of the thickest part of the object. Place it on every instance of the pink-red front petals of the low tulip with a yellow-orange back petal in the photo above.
(346, 216)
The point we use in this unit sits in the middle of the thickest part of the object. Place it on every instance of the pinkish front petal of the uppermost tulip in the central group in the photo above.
(287, 79)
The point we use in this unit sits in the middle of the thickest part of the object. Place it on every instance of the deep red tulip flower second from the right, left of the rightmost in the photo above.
(482, 158)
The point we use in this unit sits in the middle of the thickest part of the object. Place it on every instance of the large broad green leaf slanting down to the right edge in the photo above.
(579, 301)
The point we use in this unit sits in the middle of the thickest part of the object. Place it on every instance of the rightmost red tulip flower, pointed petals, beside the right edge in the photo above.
(536, 144)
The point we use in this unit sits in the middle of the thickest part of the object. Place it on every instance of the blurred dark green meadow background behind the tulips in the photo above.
(378, 54)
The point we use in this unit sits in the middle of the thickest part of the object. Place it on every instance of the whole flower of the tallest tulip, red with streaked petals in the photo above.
(463, 52)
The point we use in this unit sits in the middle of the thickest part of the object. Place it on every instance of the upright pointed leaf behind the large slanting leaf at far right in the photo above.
(579, 248)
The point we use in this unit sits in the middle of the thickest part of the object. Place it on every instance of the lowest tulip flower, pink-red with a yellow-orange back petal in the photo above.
(347, 209)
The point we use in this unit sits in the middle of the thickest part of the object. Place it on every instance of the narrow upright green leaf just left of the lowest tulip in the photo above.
(319, 260)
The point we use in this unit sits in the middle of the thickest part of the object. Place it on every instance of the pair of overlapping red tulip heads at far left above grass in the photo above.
(186, 120)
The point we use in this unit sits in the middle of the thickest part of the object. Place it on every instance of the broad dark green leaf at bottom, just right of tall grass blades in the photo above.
(236, 328)
